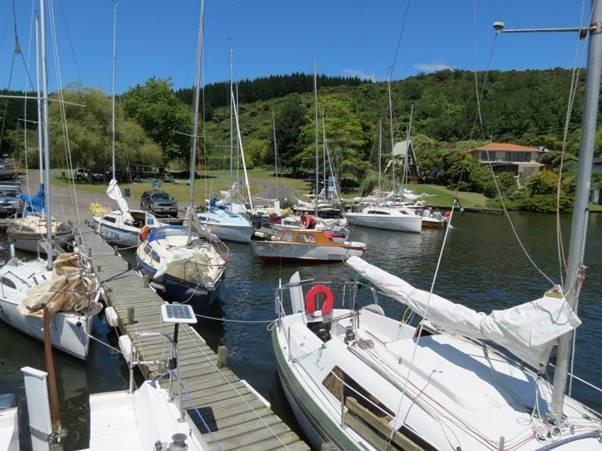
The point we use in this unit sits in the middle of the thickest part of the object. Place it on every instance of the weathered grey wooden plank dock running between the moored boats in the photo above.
(237, 416)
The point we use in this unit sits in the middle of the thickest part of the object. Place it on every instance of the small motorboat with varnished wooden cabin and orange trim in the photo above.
(306, 245)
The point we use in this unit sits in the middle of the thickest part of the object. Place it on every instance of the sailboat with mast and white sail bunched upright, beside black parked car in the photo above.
(121, 226)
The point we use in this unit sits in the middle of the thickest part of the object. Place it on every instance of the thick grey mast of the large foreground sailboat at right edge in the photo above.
(575, 268)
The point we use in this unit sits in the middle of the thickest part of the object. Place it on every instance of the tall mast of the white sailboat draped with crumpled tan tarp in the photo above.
(45, 139)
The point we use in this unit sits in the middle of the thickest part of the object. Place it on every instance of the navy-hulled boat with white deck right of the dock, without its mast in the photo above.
(185, 265)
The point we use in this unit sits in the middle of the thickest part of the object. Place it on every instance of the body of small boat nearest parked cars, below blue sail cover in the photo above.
(29, 233)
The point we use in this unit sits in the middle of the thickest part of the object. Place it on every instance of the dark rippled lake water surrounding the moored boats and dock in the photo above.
(482, 268)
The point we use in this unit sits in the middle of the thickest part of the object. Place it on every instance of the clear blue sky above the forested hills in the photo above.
(346, 37)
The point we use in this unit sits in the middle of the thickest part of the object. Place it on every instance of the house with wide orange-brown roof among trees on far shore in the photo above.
(519, 160)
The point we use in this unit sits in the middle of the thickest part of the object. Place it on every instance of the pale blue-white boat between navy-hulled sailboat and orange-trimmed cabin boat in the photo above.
(227, 225)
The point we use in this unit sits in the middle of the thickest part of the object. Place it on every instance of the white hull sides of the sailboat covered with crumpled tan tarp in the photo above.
(69, 332)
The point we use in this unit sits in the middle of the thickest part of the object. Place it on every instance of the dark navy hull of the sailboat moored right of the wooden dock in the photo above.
(174, 289)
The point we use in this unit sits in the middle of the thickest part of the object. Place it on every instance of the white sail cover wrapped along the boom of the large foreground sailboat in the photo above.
(528, 330)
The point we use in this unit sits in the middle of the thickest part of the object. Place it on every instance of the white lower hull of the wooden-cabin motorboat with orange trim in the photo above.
(278, 251)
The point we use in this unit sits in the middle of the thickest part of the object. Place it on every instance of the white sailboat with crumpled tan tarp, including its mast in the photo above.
(67, 288)
